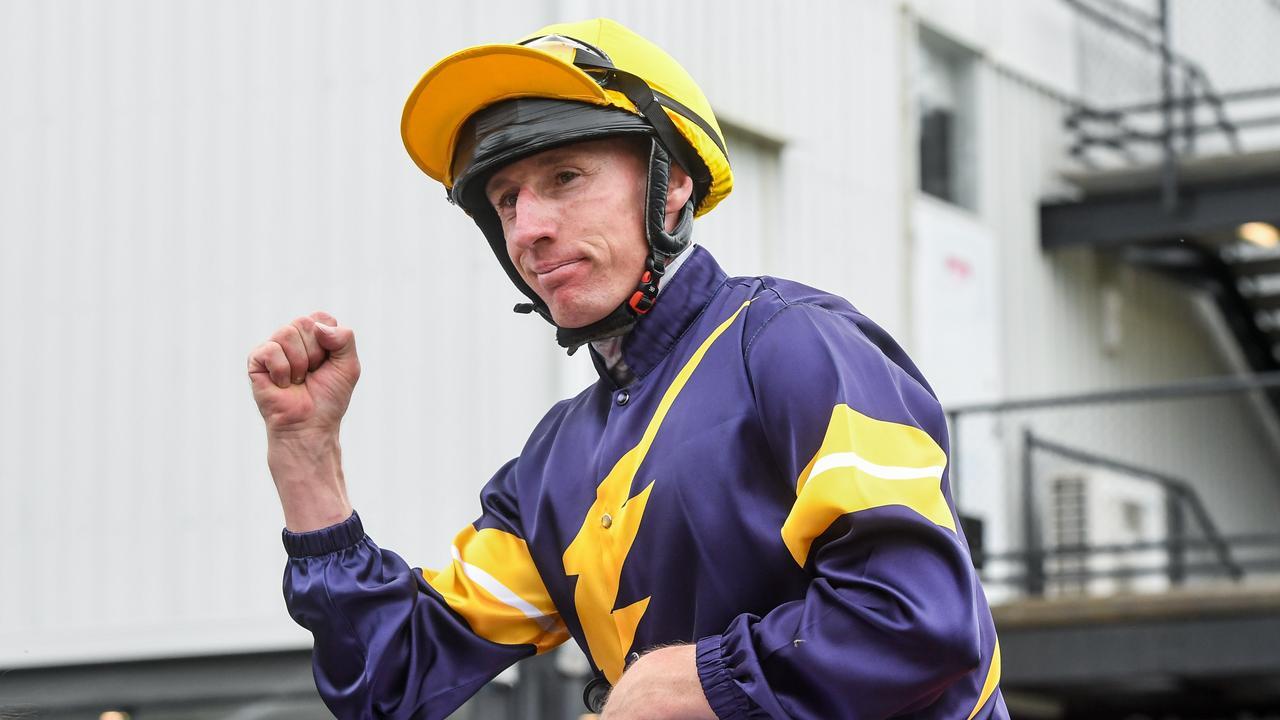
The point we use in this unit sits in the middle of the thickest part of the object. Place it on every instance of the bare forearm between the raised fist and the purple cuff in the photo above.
(308, 475)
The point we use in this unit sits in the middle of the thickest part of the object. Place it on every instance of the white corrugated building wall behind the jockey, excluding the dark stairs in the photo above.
(180, 179)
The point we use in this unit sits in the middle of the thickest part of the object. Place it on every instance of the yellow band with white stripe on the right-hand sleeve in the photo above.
(866, 463)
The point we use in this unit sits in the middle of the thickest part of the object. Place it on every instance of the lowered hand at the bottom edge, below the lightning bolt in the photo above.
(661, 686)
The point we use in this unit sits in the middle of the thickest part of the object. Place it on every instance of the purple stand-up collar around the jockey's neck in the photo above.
(684, 298)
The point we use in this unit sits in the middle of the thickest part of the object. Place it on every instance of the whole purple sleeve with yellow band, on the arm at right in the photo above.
(889, 621)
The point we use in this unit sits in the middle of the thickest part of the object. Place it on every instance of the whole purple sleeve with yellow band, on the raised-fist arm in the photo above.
(394, 641)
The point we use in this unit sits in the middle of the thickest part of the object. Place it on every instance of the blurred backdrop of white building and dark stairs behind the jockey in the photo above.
(1064, 209)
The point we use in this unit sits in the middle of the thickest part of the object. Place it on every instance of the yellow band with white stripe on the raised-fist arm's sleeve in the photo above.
(495, 586)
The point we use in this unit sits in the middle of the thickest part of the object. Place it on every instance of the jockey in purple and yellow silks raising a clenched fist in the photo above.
(747, 517)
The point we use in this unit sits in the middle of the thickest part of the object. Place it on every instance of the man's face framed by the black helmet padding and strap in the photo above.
(574, 224)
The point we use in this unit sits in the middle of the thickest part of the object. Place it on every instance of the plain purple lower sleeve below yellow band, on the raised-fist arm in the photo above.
(386, 644)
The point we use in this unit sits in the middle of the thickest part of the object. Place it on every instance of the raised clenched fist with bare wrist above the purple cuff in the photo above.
(303, 381)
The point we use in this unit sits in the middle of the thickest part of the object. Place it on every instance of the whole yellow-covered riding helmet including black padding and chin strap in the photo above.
(491, 106)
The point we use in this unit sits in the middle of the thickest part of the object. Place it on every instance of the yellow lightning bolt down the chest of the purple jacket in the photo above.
(609, 531)
